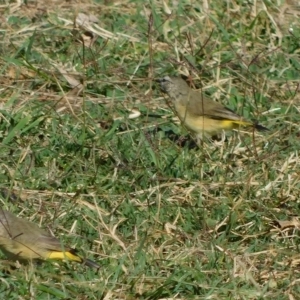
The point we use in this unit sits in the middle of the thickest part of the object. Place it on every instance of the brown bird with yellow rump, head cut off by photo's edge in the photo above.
(22, 240)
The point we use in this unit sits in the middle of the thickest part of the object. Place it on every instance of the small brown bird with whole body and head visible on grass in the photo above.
(200, 114)
